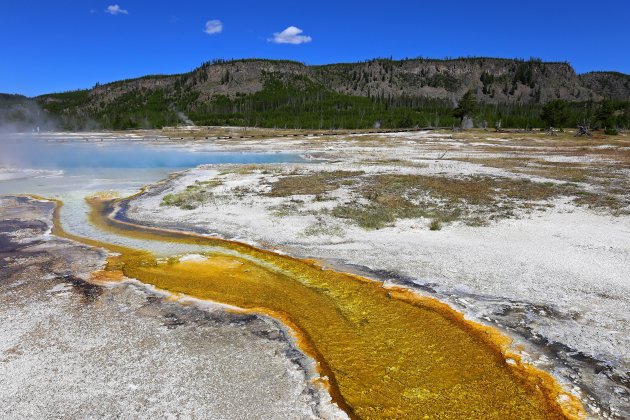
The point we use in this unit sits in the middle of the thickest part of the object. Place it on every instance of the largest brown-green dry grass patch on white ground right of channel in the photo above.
(474, 200)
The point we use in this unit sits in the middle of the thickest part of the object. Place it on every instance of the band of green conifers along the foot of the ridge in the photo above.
(299, 103)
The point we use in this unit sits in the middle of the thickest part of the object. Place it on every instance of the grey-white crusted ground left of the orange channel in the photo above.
(69, 349)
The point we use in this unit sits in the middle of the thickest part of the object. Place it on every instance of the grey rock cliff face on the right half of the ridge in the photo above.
(494, 80)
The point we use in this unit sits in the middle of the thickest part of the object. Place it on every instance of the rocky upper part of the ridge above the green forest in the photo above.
(494, 80)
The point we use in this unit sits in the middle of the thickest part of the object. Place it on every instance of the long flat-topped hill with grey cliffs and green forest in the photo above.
(391, 93)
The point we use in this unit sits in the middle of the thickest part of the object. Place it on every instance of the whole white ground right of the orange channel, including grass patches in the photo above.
(534, 237)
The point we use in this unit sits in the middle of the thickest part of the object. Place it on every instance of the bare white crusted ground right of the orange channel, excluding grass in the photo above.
(558, 280)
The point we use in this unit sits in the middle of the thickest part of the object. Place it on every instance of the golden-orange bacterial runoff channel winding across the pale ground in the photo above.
(385, 351)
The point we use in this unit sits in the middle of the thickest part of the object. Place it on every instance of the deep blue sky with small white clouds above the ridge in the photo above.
(61, 45)
